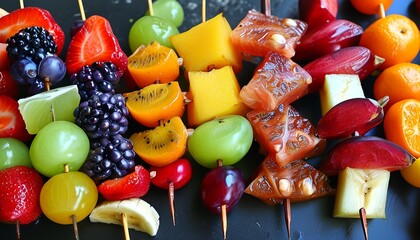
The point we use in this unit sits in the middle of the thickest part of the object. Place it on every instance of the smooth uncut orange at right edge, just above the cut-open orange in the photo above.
(399, 82)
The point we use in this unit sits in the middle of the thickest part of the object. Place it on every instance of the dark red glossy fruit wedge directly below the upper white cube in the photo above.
(356, 115)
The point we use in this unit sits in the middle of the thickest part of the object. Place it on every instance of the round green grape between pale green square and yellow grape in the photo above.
(57, 144)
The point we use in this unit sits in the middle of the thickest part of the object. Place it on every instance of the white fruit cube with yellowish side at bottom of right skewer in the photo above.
(359, 188)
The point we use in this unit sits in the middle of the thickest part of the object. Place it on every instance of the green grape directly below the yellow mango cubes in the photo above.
(228, 138)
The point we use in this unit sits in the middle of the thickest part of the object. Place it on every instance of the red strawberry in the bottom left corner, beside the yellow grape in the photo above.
(19, 195)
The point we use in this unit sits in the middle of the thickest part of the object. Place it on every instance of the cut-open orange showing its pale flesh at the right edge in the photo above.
(402, 125)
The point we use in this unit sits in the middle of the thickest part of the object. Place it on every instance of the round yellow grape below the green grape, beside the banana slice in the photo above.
(68, 194)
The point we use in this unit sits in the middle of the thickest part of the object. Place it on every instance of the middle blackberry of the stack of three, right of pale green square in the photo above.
(102, 115)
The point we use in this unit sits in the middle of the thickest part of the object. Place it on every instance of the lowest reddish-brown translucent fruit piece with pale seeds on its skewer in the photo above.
(297, 181)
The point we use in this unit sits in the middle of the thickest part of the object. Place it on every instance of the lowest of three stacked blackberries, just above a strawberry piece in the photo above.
(108, 158)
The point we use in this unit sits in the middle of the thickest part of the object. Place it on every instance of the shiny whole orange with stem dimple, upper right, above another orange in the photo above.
(395, 38)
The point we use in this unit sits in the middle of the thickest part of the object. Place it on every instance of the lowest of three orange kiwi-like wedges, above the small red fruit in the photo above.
(163, 144)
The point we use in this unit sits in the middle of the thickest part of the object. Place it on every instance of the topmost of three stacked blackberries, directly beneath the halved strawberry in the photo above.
(99, 77)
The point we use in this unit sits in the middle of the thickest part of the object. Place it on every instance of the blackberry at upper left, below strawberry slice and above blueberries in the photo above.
(33, 43)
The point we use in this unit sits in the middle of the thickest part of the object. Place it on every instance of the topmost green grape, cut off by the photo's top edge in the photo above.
(170, 10)
